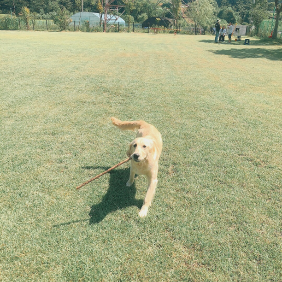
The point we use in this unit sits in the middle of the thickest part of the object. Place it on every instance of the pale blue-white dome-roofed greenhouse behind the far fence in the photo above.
(94, 19)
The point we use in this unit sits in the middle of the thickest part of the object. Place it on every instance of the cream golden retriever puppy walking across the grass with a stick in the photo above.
(145, 151)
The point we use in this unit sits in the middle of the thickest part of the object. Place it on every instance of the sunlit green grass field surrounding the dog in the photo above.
(216, 215)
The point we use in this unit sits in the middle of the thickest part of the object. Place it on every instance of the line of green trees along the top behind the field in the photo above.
(202, 12)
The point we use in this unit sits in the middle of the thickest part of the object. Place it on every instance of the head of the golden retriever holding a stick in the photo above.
(140, 148)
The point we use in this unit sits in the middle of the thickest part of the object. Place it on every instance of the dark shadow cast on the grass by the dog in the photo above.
(118, 196)
